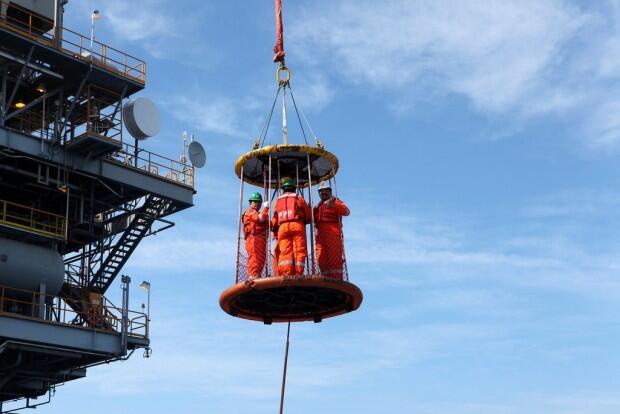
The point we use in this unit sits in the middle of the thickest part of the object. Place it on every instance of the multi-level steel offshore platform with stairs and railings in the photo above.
(76, 198)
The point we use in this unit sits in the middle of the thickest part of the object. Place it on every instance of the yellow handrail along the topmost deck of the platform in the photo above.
(75, 44)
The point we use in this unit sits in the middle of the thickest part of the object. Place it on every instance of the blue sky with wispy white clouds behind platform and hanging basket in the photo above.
(479, 145)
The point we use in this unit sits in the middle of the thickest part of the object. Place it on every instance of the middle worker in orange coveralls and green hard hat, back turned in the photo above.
(290, 216)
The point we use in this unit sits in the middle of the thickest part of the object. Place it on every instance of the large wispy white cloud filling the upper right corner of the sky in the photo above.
(511, 58)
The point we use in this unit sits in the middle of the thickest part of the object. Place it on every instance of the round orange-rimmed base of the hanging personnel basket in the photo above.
(291, 298)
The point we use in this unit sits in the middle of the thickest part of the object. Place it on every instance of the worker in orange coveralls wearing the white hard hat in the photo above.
(328, 222)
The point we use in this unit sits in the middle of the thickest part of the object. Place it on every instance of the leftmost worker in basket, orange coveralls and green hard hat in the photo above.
(255, 223)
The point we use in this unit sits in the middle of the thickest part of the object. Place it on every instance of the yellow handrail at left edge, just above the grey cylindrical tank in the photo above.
(32, 220)
